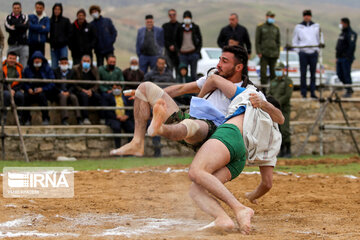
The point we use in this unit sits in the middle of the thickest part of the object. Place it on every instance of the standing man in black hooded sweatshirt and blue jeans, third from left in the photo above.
(59, 35)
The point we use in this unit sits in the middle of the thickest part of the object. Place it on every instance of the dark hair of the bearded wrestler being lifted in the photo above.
(241, 56)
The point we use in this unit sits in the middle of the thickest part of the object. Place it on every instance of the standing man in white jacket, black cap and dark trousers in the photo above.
(308, 33)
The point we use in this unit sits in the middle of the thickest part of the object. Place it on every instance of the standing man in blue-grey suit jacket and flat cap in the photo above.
(149, 44)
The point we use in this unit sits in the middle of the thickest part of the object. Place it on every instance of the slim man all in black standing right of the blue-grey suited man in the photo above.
(170, 29)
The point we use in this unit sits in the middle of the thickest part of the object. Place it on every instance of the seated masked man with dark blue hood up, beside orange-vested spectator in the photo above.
(37, 92)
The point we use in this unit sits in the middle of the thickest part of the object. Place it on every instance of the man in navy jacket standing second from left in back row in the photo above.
(39, 27)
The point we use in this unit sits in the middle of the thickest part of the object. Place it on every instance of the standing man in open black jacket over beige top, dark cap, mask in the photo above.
(189, 43)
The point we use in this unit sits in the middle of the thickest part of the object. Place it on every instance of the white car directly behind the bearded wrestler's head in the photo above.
(210, 58)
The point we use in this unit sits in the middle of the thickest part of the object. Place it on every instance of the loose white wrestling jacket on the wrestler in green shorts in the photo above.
(261, 135)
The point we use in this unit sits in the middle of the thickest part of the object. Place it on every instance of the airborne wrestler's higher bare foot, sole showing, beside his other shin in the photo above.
(159, 117)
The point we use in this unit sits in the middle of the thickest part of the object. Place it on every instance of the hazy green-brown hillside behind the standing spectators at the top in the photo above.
(211, 15)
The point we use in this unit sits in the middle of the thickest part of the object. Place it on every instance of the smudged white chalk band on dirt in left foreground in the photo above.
(126, 225)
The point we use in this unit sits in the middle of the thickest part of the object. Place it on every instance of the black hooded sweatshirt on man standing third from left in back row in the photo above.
(59, 29)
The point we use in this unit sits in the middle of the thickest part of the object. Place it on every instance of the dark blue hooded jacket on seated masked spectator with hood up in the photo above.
(44, 72)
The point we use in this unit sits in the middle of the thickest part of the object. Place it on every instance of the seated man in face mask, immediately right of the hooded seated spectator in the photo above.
(65, 91)
